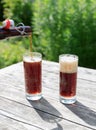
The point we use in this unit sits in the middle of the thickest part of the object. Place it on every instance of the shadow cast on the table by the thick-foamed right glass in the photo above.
(83, 112)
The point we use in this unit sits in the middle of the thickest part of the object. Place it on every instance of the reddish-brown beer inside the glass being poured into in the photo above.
(32, 72)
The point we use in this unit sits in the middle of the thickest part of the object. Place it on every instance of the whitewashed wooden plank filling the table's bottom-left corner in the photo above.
(9, 123)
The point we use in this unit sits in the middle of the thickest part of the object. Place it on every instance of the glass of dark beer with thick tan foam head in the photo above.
(68, 78)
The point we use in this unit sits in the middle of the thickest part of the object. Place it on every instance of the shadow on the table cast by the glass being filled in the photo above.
(47, 112)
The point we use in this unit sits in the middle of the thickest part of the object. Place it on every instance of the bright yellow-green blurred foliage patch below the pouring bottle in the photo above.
(11, 52)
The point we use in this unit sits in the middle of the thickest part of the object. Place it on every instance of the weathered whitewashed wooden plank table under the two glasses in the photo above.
(17, 113)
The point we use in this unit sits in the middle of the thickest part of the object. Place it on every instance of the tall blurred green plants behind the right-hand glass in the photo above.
(68, 26)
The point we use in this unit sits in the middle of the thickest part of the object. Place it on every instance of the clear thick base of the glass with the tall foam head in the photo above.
(65, 100)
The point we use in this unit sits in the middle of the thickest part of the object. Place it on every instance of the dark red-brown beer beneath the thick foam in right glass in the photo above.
(68, 84)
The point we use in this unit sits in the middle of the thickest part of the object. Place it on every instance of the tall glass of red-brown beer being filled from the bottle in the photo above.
(32, 62)
